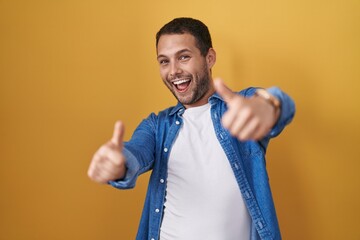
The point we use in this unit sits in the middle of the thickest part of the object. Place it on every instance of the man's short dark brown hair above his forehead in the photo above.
(188, 25)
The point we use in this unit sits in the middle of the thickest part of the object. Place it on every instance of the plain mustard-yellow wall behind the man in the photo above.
(69, 69)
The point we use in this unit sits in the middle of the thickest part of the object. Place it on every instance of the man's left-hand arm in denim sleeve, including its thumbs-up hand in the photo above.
(118, 163)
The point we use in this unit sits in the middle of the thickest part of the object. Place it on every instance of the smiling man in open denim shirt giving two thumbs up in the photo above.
(206, 154)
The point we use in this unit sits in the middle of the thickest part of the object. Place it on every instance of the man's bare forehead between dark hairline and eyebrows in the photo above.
(172, 43)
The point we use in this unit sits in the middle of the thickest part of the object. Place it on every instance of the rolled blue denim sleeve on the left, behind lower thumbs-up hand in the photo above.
(139, 153)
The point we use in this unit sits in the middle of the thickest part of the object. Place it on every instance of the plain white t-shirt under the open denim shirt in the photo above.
(203, 199)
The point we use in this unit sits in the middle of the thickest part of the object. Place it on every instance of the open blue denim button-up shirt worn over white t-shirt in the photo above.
(150, 146)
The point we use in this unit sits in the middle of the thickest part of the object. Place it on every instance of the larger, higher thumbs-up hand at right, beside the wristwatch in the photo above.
(247, 118)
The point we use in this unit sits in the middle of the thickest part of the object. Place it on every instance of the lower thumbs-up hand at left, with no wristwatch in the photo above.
(108, 163)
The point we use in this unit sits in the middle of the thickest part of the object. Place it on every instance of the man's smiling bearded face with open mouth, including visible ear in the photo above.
(184, 70)
